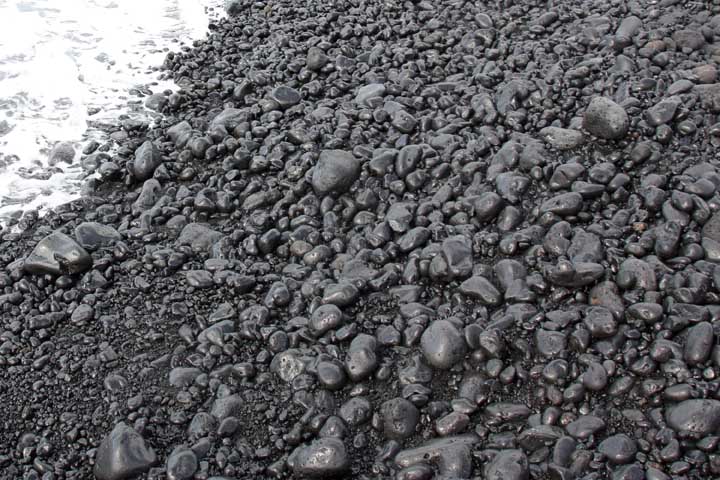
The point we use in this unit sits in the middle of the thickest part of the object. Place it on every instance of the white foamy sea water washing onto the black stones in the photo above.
(66, 65)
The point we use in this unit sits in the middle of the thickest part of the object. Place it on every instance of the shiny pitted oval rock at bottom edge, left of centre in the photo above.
(325, 457)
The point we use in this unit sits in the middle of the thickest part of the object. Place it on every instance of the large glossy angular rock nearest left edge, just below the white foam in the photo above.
(57, 254)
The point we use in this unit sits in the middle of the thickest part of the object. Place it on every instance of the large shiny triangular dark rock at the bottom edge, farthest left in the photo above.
(123, 455)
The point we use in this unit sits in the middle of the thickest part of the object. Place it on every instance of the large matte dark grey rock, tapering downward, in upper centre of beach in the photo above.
(335, 172)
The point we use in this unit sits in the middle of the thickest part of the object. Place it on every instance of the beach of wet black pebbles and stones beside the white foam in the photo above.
(390, 239)
